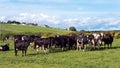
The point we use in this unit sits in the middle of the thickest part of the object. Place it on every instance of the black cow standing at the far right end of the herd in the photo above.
(107, 39)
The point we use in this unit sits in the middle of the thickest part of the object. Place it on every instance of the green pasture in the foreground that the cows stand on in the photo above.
(104, 58)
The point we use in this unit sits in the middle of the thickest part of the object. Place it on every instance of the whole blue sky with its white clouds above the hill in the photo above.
(82, 14)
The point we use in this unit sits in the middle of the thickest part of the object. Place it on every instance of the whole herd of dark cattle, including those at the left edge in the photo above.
(78, 42)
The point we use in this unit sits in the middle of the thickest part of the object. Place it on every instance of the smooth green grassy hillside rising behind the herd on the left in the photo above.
(27, 29)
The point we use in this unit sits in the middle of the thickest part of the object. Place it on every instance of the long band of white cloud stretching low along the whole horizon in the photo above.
(86, 23)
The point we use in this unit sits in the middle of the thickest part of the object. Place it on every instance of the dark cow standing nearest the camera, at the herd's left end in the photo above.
(21, 45)
